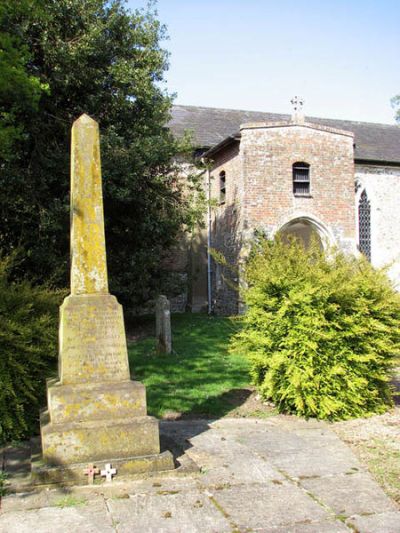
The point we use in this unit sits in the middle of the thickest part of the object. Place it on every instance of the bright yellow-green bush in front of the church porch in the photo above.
(321, 331)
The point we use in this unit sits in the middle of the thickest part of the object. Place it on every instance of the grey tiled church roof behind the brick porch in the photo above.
(210, 126)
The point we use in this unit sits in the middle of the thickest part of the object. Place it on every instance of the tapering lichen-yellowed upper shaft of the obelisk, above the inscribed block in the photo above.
(88, 247)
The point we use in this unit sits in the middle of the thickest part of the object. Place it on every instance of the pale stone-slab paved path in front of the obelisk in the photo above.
(278, 475)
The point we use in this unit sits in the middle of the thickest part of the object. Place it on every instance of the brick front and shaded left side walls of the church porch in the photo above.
(259, 191)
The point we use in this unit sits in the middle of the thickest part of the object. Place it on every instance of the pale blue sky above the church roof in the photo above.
(340, 56)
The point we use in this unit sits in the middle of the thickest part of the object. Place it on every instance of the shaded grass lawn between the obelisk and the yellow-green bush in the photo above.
(200, 377)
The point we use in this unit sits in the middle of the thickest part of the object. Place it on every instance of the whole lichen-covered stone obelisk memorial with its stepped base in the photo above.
(95, 412)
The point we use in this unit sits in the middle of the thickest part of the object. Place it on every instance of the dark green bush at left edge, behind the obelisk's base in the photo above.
(28, 353)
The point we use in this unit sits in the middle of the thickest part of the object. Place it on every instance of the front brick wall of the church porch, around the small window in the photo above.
(268, 154)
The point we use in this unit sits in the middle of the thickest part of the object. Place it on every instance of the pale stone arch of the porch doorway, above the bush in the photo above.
(305, 228)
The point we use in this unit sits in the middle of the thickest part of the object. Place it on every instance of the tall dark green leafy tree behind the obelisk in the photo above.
(97, 57)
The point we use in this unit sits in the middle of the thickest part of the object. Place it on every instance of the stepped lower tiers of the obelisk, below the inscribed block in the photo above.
(99, 423)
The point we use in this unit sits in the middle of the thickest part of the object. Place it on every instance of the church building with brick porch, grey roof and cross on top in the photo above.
(336, 180)
